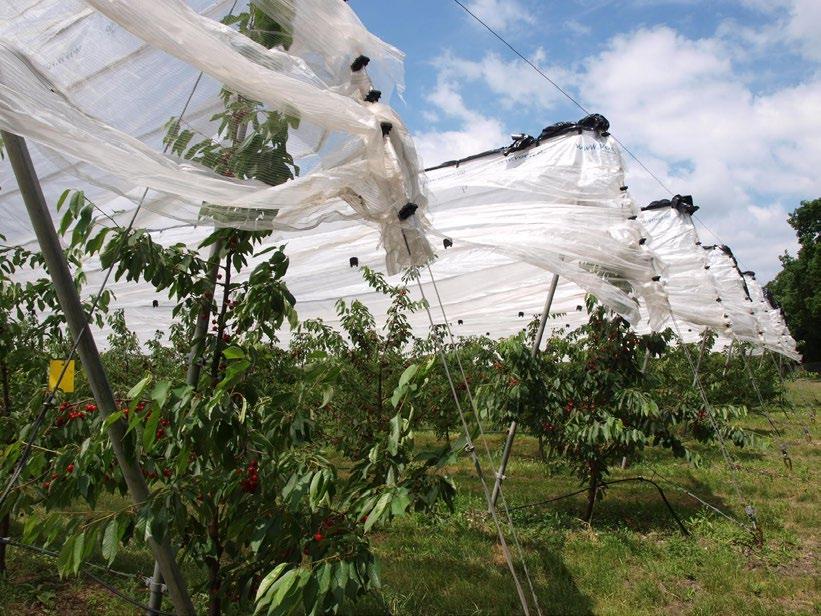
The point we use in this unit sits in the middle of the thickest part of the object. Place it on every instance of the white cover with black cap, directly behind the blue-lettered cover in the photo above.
(690, 289)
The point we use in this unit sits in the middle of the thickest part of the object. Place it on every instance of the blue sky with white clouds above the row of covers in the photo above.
(721, 99)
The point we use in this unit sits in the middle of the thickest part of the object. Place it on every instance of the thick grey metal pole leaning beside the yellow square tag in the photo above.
(72, 308)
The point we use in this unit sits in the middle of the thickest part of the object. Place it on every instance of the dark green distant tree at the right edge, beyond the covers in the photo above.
(797, 288)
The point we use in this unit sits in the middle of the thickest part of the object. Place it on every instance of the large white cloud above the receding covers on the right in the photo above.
(677, 99)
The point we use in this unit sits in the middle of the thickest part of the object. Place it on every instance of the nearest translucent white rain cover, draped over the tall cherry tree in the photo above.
(75, 80)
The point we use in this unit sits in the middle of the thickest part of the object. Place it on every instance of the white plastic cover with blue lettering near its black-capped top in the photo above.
(558, 205)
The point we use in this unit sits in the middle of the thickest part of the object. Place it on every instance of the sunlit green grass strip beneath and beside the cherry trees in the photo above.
(633, 560)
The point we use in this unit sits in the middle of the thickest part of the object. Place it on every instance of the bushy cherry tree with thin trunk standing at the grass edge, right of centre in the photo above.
(589, 401)
